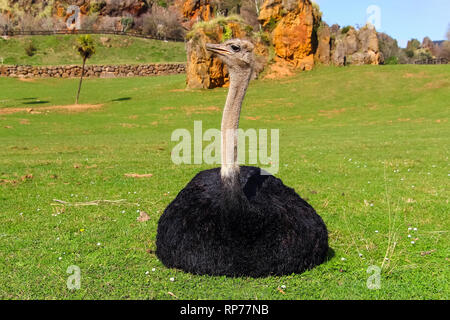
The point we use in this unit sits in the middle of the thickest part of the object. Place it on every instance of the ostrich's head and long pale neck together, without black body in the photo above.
(237, 54)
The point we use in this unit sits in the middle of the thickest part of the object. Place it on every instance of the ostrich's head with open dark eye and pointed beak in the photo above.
(237, 54)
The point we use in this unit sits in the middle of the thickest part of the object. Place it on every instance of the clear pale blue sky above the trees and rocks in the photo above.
(401, 19)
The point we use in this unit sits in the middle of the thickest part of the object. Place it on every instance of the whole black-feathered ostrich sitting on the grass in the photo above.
(239, 220)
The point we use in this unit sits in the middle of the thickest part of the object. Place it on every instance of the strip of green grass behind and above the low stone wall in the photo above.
(61, 50)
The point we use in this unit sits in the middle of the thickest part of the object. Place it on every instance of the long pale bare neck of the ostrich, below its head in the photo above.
(239, 80)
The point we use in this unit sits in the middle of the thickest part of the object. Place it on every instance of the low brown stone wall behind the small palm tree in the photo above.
(99, 71)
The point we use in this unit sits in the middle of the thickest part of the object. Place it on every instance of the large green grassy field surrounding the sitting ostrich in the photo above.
(366, 146)
